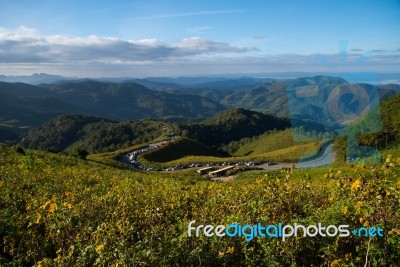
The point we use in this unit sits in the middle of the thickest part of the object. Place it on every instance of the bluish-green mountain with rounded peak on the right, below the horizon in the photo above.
(271, 96)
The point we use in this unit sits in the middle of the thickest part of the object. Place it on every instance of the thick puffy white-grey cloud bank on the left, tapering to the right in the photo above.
(26, 46)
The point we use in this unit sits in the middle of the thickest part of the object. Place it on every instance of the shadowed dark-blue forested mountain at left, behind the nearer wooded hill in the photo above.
(28, 105)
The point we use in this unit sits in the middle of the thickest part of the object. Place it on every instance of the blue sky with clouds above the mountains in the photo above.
(141, 38)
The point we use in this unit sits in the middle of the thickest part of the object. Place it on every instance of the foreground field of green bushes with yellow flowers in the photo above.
(59, 210)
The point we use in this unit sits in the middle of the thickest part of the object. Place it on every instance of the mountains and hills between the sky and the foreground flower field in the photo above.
(102, 116)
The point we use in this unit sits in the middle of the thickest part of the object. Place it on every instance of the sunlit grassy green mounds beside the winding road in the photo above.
(275, 146)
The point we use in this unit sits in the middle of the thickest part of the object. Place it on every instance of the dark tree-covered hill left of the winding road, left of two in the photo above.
(69, 132)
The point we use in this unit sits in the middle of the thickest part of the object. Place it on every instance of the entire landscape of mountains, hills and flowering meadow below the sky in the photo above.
(95, 168)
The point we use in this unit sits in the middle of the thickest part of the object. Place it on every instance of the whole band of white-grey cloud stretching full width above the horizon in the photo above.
(25, 51)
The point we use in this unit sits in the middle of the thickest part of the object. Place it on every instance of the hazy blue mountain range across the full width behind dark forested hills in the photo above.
(26, 105)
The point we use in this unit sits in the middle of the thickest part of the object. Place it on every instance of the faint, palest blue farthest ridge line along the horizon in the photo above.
(213, 81)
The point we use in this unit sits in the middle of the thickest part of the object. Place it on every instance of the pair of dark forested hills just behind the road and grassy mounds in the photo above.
(95, 134)
